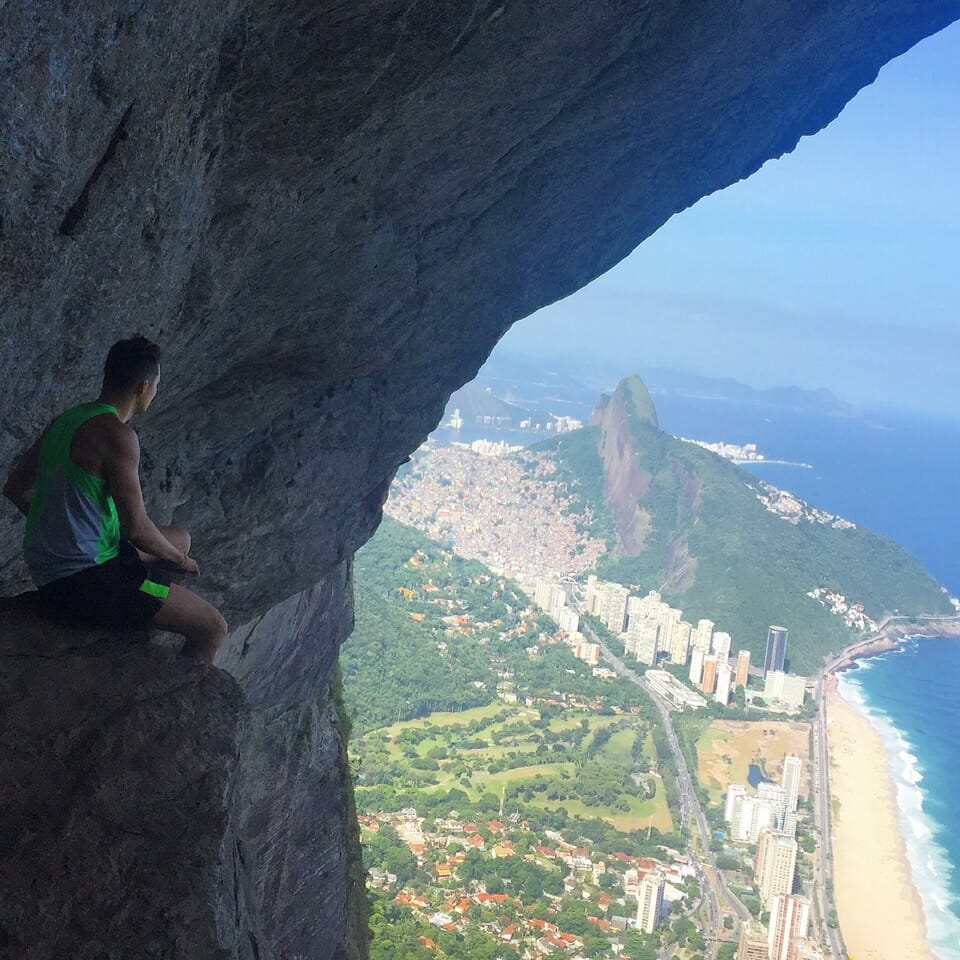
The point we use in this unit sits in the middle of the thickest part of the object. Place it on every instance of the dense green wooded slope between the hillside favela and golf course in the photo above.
(435, 632)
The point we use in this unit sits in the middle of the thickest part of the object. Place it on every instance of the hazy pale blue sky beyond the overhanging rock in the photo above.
(835, 266)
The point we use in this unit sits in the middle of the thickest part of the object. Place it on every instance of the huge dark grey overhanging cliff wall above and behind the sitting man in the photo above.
(328, 214)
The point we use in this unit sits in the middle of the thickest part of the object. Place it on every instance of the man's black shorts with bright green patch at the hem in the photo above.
(123, 592)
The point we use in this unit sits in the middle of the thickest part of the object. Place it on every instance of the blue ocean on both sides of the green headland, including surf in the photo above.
(894, 473)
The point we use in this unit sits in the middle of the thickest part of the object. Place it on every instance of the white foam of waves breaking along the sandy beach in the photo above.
(930, 867)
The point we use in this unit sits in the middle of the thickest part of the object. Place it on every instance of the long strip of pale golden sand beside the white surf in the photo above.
(881, 917)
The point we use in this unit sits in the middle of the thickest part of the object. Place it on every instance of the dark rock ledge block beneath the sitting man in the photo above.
(120, 801)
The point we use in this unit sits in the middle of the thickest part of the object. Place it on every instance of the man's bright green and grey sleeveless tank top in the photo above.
(72, 523)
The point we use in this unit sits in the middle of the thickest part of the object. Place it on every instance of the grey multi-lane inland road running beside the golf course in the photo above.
(711, 879)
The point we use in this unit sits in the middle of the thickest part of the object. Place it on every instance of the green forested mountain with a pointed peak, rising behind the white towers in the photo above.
(714, 550)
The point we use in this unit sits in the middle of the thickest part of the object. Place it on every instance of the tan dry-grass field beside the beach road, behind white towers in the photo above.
(726, 749)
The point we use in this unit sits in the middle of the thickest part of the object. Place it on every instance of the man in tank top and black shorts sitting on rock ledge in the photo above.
(93, 553)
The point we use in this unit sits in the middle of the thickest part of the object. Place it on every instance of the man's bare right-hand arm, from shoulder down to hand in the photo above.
(122, 472)
